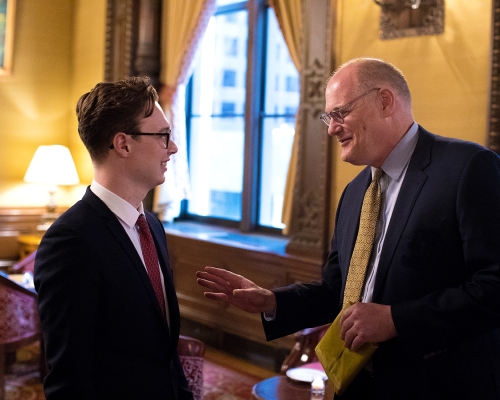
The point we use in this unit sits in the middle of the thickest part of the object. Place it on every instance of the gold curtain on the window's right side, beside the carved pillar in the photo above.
(289, 16)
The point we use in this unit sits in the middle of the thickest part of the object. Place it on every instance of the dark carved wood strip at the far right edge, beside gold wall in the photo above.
(494, 113)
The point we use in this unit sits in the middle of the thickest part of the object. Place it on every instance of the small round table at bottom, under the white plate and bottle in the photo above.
(282, 388)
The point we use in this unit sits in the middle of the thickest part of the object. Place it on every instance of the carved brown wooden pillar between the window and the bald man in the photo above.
(310, 214)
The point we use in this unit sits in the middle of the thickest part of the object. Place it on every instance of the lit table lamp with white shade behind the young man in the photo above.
(51, 166)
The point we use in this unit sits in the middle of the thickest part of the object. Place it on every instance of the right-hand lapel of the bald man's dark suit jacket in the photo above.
(410, 189)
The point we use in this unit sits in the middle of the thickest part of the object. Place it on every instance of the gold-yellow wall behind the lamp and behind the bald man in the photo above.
(59, 54)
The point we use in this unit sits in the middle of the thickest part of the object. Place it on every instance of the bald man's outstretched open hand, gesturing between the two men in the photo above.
(236, 290)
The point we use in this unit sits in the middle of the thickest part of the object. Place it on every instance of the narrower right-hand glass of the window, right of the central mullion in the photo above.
(281, 103)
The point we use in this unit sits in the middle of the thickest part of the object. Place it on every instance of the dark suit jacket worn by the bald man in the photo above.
(439, 270)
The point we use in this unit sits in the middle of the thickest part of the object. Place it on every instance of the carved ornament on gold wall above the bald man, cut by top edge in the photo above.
(403, 18)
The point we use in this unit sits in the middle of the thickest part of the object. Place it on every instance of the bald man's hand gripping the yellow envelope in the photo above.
(366, 323)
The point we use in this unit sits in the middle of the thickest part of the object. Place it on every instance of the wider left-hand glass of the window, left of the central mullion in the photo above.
(216, 143)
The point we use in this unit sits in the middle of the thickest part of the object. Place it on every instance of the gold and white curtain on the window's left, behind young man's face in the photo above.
(184, 23)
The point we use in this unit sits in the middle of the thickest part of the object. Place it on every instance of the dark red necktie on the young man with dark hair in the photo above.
(151, 259)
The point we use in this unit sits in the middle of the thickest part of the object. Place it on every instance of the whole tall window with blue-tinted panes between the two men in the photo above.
(239, 153)
